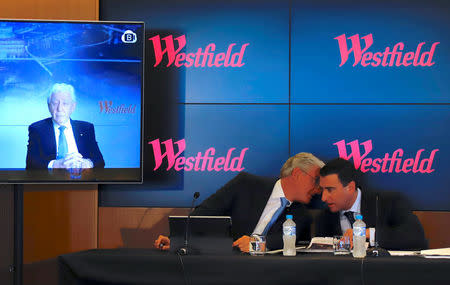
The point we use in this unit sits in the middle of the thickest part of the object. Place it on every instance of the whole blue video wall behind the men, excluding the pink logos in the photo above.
(300, 122)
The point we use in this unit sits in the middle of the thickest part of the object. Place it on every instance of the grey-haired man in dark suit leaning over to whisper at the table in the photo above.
(259, 205)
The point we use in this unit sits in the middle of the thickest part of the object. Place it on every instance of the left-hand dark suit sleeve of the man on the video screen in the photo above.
(35, 159)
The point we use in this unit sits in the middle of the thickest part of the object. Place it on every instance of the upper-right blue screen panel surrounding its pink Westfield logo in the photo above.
(317, 77)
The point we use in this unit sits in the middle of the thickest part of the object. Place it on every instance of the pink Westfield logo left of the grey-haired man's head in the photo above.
(205, 161)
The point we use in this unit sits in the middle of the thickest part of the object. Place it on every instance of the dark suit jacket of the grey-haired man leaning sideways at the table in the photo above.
(244, 199)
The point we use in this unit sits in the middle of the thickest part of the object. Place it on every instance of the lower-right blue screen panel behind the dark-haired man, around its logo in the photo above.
(411, 128)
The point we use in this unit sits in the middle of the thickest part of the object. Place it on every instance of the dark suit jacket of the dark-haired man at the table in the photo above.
(397, 226)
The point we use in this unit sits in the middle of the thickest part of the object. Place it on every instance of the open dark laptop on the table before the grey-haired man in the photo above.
(208, 234)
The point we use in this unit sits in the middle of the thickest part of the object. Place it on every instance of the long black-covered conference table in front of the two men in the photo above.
(150, 266)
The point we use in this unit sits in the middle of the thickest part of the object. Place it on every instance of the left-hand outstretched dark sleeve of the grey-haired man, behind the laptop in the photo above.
(220, 203)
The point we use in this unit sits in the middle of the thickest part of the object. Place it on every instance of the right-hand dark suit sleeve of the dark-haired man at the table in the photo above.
(400, 228)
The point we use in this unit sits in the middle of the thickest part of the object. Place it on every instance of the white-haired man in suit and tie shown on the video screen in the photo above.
(60, 142)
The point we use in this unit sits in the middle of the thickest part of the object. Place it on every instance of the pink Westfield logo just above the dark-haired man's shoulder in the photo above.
(391, 163)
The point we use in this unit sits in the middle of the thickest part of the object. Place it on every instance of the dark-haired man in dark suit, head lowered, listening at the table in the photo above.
(397, 227)
